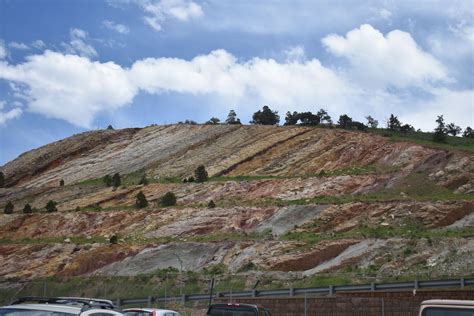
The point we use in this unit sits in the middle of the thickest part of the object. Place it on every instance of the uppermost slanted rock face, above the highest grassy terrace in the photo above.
(176, 150)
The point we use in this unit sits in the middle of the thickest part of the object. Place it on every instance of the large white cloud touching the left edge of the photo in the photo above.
(70, 87)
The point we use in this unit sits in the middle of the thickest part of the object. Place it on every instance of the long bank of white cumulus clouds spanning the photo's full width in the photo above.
(76, 89)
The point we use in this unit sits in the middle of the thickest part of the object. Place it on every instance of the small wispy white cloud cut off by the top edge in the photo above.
(157, 12)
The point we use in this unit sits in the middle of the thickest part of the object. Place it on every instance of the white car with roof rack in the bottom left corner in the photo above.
(60, 306)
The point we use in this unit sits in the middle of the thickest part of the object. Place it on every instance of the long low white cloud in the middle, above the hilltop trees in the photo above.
(295, 84)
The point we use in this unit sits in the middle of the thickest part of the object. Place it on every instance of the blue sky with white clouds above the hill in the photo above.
(69, 66)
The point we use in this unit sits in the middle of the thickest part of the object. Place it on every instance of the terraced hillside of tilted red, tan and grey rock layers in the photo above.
(302, 199)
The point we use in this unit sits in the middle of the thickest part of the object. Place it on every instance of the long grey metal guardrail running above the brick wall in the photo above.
(290, 292)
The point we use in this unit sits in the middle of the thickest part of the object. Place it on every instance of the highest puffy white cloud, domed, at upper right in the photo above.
(382, 61)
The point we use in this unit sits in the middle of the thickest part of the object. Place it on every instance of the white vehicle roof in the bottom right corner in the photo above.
(447, 308)
